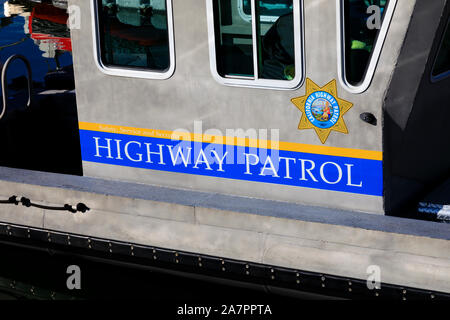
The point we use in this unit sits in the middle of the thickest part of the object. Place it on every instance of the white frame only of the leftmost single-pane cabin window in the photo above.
(123, 71)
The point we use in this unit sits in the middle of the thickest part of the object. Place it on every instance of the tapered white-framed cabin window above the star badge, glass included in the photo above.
(364, 25)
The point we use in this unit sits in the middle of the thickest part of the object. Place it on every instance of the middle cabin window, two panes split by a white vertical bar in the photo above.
(256, 43)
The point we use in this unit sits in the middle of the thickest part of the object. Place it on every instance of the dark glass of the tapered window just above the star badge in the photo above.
(360, 36)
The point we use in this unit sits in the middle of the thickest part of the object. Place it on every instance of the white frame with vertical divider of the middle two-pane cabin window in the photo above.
(299, 31)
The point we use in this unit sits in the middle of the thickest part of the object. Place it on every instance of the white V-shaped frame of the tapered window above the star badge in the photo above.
(375, 55)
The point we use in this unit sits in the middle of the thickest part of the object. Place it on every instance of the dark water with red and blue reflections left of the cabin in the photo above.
(39, 32)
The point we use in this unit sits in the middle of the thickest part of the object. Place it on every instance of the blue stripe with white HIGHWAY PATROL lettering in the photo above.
(351, 175)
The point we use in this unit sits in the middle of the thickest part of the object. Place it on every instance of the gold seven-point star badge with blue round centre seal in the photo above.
(322, 110)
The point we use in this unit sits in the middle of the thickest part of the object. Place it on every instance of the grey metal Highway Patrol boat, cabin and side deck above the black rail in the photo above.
(287, 136)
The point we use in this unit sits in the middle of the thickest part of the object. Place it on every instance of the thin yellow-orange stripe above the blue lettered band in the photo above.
(287, 146)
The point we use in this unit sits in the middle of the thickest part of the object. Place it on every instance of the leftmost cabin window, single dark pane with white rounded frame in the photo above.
(135, 37)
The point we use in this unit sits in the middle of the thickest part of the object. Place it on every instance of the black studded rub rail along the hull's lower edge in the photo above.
(142, 256)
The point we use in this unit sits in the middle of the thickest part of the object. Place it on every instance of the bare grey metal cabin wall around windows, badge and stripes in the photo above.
(192, 94)
